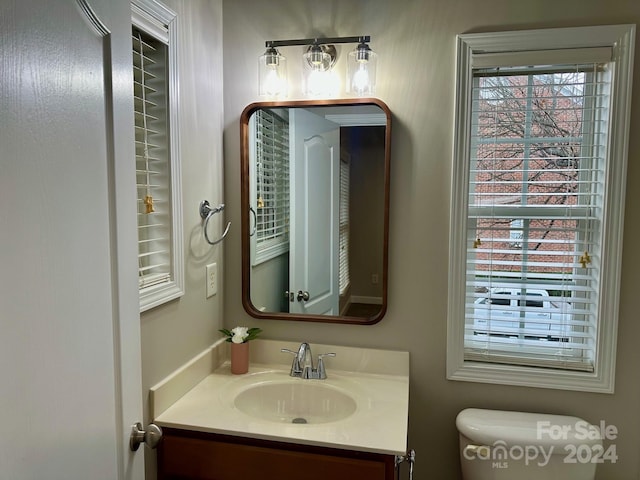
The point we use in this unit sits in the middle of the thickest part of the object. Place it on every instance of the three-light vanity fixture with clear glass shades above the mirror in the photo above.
(318, 77)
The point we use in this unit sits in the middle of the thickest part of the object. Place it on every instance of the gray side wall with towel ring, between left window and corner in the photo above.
(174, 333)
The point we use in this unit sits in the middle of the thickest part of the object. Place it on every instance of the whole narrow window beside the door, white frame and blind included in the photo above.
(156, 147)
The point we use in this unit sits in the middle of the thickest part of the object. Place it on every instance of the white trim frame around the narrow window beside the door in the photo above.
(160, 22)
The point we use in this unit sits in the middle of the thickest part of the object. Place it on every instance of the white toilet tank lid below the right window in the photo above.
(486, 427)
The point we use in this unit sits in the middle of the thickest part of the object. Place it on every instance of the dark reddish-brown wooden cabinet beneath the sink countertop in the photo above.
(189, 455)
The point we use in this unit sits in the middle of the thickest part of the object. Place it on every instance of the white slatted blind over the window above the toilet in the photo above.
(536, 180)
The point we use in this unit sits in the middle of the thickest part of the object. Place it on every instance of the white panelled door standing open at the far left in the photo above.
(70, 384)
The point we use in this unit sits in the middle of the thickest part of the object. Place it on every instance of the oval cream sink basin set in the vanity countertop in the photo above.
(295, 402)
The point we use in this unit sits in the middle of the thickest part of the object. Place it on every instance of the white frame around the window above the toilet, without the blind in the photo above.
(549, 42)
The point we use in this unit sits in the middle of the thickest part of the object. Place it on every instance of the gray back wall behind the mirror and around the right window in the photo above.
(415, 41)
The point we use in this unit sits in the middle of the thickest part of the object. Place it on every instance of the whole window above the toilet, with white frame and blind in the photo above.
(538, 192)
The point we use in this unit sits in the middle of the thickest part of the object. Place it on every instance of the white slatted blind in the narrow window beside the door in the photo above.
(152, 162)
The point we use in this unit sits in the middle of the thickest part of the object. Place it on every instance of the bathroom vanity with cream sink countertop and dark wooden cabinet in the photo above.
(266, 424)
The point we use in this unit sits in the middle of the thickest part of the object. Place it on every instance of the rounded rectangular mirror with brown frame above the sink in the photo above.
(315, 196)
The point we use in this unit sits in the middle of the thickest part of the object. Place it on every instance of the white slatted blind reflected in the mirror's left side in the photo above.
(272, 184)
